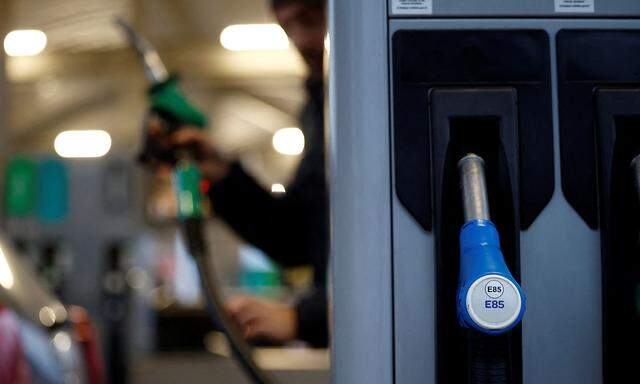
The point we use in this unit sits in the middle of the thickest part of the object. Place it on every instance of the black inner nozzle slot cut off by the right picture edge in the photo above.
(618, 147)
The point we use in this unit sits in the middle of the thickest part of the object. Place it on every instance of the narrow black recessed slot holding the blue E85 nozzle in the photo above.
(483, 122)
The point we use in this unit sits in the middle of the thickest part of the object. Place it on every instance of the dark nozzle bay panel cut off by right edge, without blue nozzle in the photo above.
(599, 90)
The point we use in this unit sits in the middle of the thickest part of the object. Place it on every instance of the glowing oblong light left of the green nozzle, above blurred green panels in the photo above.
(78, 144)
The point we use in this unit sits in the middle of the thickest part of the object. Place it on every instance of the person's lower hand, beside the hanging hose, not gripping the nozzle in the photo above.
(261, 319)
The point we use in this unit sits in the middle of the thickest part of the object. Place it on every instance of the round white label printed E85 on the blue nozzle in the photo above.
(493, 302)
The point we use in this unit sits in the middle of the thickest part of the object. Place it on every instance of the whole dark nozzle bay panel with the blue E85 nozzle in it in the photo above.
(486, 92)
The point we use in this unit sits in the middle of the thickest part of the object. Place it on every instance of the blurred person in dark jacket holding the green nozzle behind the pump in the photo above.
(292, 229)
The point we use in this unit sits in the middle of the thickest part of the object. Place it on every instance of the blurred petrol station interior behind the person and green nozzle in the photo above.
(103, 234)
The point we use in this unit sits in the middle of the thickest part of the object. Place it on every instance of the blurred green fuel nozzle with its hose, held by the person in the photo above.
(175, 111)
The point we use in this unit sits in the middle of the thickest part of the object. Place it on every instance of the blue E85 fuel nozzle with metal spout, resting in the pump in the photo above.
(489, 298)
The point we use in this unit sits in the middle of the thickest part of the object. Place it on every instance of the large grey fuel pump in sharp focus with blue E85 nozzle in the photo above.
(547, 93)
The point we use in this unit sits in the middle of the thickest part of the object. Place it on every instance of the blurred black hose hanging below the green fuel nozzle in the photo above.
(196, 243)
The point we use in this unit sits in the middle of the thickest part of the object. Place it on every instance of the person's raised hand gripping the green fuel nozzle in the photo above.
(212, 166)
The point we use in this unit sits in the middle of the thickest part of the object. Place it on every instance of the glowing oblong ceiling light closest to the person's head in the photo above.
(254, 37)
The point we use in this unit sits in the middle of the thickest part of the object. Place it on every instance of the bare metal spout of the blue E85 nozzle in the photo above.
(474, 188)
